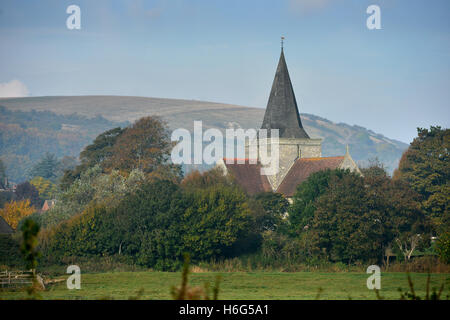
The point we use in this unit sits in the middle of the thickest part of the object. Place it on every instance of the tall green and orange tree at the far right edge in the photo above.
(425, 166)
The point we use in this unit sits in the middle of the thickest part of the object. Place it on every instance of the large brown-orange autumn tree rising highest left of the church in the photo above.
(145, 146)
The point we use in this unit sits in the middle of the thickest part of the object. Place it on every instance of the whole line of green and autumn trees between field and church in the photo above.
(126, 199)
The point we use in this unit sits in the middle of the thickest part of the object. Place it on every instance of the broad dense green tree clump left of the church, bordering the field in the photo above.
(154, 225)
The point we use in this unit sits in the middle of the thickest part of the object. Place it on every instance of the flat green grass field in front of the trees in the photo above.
(240, 285)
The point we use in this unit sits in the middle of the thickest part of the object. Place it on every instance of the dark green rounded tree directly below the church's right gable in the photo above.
(345, 228)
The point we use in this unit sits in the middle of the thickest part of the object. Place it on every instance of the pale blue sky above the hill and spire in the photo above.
(391, 80)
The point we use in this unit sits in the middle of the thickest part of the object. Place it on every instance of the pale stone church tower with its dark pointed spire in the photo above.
(282, 114)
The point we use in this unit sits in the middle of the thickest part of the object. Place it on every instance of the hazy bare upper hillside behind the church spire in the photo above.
(364, 144)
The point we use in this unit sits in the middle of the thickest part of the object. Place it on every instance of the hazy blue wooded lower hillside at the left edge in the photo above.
(25, 136)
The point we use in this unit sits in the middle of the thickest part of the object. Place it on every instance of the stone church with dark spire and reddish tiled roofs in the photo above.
(299, 155)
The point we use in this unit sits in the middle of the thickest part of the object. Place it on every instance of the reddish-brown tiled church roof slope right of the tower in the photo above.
(302, 169)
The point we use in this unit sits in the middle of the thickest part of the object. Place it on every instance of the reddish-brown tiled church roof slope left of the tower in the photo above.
(249, 177)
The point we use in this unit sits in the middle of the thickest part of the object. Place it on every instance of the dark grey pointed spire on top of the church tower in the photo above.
(282, 111)
